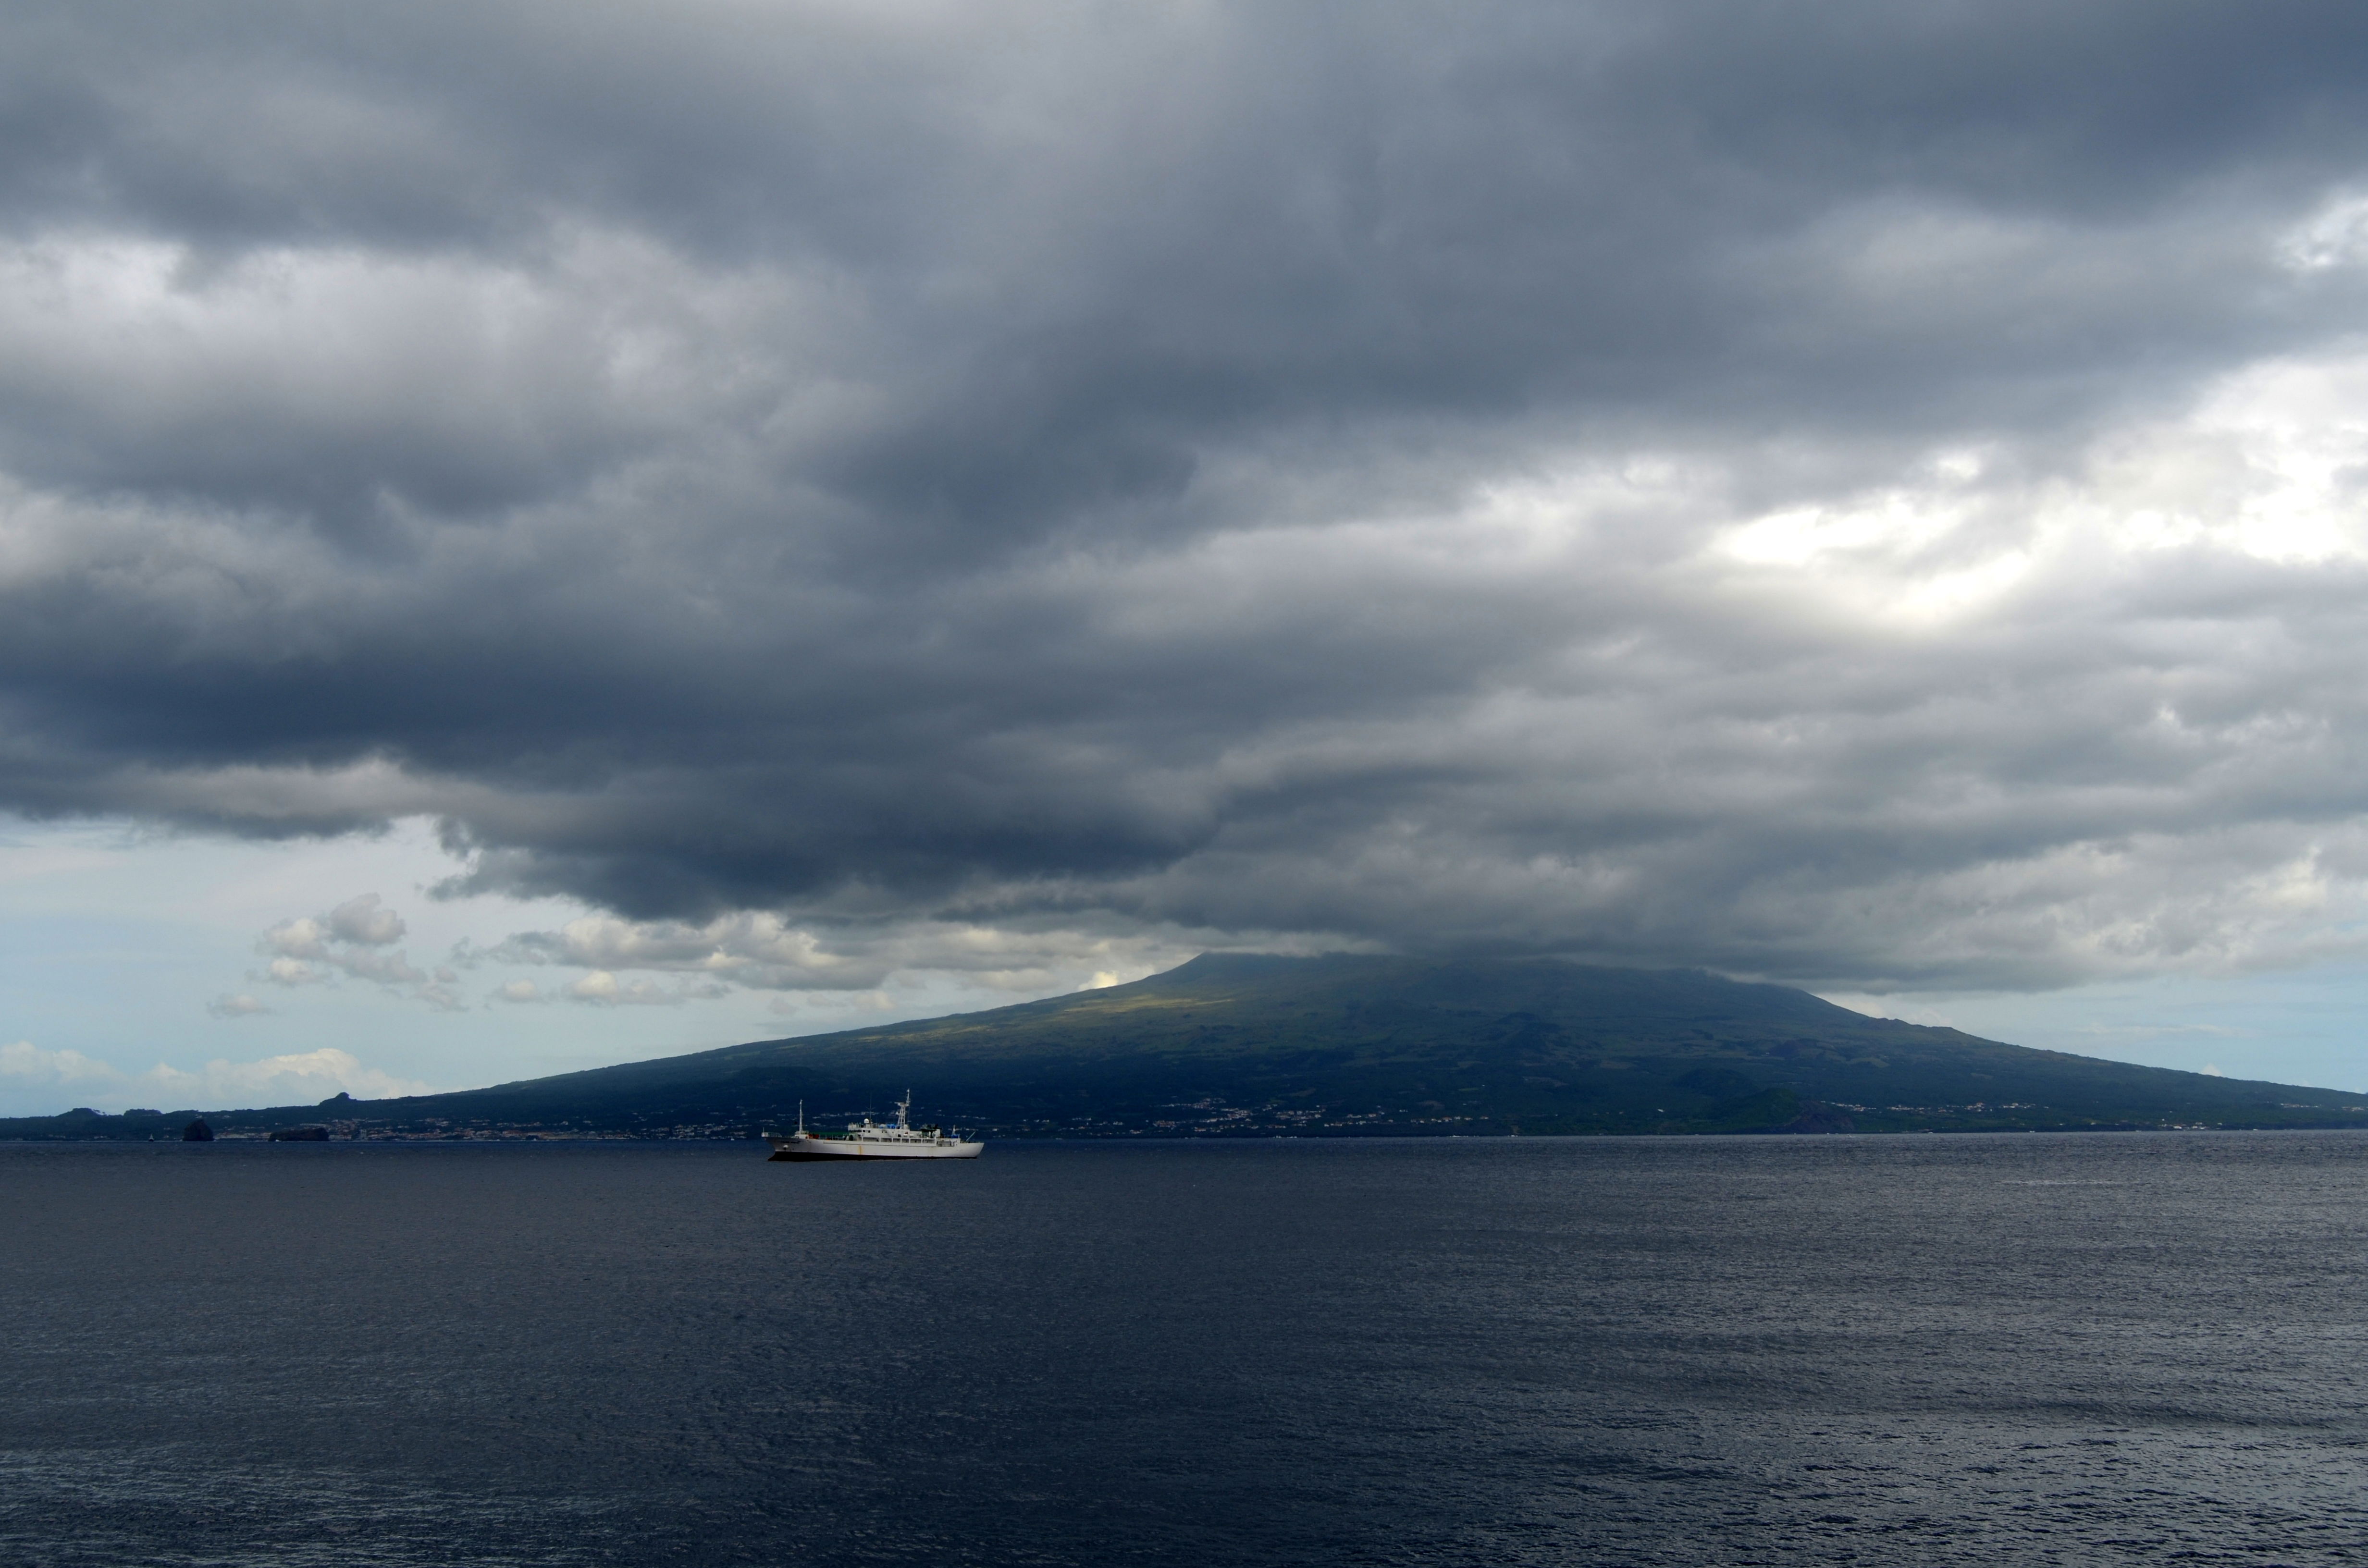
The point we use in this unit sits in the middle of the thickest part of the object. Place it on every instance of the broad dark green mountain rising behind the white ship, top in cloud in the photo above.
(1365, 1046)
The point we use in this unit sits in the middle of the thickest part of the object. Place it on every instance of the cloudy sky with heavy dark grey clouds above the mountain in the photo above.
(560, 534)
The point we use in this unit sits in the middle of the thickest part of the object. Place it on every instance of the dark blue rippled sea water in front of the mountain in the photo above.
(1533, 1351)
